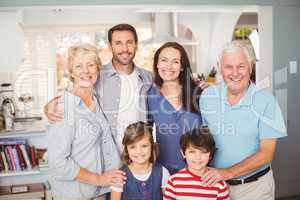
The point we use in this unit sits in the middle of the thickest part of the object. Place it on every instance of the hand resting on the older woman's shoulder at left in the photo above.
(52, 112)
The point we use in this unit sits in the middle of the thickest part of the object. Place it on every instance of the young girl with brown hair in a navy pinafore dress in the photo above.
(145, 177)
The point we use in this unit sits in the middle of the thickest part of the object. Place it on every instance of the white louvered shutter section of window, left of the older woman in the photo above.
(35, 77)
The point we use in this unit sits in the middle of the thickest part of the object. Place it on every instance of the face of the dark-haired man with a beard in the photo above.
(123, 47)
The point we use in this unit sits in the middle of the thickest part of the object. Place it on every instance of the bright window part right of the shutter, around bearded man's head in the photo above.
(98, 37)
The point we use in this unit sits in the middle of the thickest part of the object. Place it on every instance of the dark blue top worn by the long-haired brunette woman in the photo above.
(170, 125)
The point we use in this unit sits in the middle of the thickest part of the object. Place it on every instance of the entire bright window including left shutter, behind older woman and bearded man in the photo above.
(44, 73)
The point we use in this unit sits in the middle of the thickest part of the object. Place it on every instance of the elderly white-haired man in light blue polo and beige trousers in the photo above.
(245, 123)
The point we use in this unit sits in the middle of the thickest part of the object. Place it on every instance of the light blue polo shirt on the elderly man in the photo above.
(238, 129)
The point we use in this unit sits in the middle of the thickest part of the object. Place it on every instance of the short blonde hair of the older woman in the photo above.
(83, 49)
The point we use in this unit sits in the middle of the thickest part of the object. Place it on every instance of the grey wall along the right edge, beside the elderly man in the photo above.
(286, 48)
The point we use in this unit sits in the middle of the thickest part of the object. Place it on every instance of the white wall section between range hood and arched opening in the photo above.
(212, 30)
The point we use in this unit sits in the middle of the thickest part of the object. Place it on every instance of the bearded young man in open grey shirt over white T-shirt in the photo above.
(122, 85)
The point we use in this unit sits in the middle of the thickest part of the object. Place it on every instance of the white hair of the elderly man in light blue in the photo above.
(236, 45)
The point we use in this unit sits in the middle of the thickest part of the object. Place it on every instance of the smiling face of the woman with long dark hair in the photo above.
(169, 64)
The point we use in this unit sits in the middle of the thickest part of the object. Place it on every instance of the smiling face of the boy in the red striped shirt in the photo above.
(196, 159)
